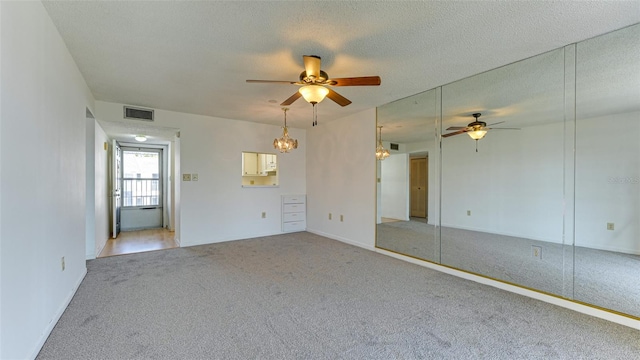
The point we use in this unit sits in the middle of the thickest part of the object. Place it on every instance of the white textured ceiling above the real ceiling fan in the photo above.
(194, 56)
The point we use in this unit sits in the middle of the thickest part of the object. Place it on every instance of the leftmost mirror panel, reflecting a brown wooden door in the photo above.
(404, 196)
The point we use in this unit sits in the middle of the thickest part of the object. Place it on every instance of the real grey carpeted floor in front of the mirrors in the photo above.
(302, 296)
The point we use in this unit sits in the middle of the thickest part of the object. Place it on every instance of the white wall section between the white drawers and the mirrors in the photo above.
(341, 172)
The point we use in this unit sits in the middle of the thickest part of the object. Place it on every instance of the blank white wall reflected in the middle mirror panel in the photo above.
(513, 185)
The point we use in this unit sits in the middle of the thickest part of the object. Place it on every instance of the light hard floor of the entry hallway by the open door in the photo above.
(129, 242)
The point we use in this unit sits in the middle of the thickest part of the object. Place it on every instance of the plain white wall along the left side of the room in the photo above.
(44, 101)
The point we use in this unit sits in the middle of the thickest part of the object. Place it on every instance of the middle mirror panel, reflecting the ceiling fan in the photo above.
(502, 196)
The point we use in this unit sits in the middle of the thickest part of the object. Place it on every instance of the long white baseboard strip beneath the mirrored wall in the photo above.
(568, 304)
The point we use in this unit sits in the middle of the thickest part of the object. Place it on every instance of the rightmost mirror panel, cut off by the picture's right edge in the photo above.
(607, 178)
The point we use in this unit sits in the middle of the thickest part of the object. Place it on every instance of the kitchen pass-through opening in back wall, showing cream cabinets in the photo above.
(259, 169)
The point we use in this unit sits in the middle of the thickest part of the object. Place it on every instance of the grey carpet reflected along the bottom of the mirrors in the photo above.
(602, 278)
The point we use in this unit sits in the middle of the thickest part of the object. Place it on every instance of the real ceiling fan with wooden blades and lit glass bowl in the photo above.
(314, 84)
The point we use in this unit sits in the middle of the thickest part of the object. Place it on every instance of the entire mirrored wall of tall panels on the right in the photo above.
(549, 199)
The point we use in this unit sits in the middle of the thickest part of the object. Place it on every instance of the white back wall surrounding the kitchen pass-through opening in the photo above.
(217, 208)
